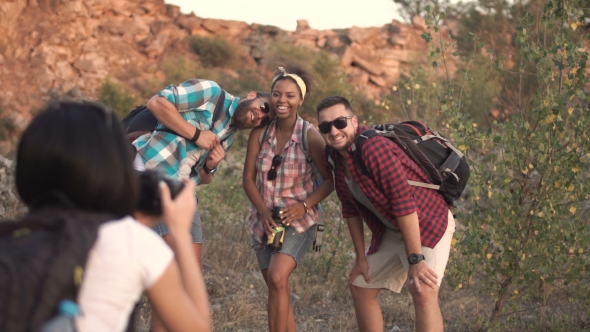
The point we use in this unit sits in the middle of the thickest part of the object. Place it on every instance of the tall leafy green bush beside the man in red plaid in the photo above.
(523, 227)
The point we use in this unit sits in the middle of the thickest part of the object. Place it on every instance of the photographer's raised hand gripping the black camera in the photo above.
(179, 213)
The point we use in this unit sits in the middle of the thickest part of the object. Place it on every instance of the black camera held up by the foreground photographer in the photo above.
(149, 190)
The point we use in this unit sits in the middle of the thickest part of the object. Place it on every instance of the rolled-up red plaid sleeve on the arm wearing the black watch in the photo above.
(381, 158)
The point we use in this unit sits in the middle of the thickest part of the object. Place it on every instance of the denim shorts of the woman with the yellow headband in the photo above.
(295, 245)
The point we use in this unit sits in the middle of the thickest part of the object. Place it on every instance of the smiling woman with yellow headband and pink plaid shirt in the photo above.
(277, 178)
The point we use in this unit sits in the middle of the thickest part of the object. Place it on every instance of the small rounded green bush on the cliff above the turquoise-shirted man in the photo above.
(214, 51)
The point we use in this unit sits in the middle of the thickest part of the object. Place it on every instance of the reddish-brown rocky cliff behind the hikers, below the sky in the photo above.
(58, 47)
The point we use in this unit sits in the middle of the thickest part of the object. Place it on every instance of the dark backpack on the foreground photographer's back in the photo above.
(42, 258)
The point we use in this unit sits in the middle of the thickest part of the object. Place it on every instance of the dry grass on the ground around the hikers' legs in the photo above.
(319, 295)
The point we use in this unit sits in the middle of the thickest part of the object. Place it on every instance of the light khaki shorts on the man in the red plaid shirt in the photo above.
(388, 266)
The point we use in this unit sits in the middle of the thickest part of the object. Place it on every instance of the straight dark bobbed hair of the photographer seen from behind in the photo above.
(76, 155)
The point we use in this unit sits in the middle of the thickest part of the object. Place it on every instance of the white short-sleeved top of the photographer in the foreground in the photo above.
(126, 259)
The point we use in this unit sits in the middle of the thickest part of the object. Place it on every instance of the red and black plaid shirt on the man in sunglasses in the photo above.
(388, 189)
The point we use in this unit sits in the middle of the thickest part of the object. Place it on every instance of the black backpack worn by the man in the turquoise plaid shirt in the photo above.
(141, 121)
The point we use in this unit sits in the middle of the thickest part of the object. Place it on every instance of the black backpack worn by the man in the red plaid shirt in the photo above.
(436, 155)
